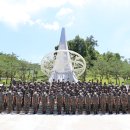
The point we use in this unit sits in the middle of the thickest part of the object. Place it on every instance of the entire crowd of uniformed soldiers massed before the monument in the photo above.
(65, 97)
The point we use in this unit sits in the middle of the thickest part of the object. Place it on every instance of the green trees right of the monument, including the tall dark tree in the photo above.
(107, 66)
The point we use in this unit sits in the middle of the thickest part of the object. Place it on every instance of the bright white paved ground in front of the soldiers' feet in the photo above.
(64, 122)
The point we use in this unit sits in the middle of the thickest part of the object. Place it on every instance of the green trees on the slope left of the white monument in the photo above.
(12, 67)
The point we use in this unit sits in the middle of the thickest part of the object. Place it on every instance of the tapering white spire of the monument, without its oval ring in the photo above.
(63, 70)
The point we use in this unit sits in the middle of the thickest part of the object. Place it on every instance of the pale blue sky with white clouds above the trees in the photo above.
(31, 28)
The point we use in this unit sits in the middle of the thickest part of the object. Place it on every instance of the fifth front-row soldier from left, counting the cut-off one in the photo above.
(35, 102)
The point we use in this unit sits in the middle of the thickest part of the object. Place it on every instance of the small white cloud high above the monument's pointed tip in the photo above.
(64, 11)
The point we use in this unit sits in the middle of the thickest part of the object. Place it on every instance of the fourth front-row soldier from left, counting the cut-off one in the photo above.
(26, 102)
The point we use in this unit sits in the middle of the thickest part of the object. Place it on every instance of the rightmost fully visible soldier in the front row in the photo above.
(124, 102)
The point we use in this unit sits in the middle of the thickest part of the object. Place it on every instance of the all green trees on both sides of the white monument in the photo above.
(99, 66)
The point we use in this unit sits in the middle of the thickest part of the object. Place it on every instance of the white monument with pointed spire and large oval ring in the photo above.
(63, 64)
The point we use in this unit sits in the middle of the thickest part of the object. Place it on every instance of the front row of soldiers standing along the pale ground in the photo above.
(68, 104)
